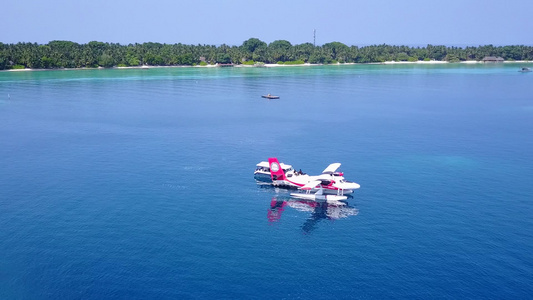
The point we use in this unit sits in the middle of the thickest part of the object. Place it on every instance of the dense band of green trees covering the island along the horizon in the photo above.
(65, 54)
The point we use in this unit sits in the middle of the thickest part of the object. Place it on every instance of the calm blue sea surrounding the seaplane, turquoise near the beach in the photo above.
(138, 184)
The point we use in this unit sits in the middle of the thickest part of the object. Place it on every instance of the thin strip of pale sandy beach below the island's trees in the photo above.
(274, 65)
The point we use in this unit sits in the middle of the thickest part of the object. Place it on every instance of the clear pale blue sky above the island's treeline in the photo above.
(215, 22)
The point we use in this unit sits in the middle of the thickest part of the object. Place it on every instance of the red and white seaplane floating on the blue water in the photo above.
(331, 181)
